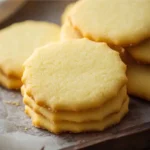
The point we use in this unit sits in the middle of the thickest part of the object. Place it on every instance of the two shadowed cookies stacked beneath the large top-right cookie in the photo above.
(138, 72)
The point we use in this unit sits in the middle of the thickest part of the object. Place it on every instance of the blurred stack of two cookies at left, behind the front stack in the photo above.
(17, 42)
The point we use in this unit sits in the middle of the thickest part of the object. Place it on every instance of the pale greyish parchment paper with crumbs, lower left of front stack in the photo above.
(17, 132)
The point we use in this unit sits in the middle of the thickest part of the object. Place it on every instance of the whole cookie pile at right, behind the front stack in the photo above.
(120, 24)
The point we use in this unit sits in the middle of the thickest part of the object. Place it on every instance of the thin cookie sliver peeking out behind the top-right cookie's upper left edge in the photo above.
(66, 12)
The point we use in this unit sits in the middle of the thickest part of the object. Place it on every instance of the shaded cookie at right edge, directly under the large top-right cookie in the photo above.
(141, 52)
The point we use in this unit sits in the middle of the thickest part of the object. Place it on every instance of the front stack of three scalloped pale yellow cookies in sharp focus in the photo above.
(75, 86)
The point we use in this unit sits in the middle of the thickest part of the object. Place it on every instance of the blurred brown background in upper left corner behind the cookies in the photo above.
(19, 10)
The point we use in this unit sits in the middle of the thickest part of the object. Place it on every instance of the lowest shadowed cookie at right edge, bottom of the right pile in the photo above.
(138, 79)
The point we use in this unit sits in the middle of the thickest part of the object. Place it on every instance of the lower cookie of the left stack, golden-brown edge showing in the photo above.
(10, 82)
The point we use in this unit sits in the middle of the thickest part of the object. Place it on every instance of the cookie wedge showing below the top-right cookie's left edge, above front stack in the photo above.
(68, 32)
